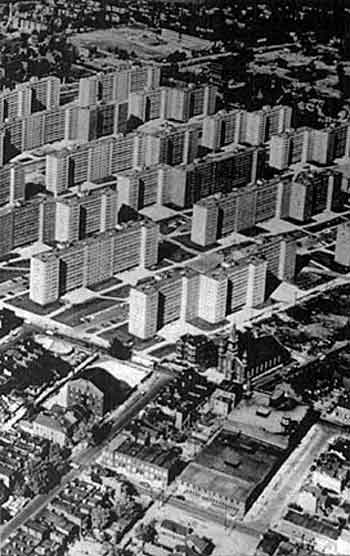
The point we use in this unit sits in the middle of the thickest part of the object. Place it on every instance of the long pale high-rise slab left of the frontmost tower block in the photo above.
(92, 260)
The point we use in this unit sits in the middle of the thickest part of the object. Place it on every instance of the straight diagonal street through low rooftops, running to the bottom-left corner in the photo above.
(121, 417)
